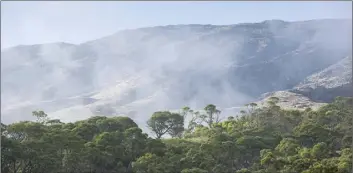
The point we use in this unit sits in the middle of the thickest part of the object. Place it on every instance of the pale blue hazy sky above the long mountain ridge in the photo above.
(77, 22)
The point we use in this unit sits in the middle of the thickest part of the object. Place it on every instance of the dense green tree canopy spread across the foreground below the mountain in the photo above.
(260, 140)
